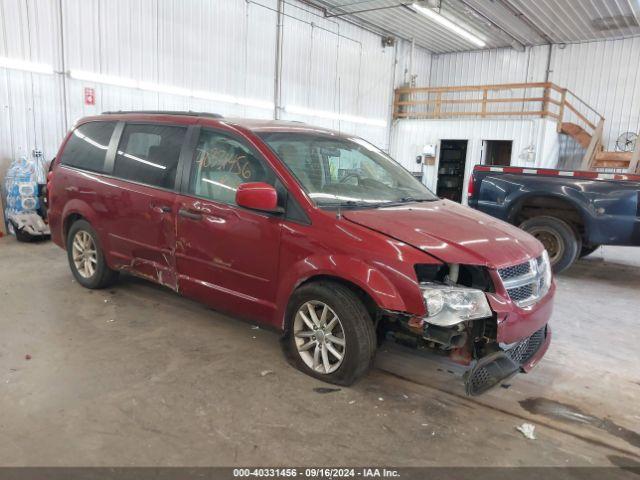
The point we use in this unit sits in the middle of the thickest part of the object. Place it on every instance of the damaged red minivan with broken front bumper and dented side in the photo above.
(316, 233)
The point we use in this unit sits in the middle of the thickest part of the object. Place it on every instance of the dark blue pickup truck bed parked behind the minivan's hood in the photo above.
(571, 212)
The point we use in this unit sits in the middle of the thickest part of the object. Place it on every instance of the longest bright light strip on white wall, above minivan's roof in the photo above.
(168, 89)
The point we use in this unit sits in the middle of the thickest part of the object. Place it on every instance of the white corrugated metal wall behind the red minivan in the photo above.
(227, 48)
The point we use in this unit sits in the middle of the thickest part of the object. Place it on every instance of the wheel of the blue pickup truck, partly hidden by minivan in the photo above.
(558, 238)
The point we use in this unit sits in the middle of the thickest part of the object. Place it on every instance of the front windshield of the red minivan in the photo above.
(345, 172)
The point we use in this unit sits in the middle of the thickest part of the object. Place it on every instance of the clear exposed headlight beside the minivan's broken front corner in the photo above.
(449, 305)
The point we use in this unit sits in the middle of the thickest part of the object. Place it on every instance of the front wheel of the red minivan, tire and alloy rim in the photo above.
(330, 334)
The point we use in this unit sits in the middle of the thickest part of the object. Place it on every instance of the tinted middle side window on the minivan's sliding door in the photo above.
(149, 154)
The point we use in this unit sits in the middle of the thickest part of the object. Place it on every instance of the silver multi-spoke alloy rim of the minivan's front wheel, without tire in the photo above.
(319, 337)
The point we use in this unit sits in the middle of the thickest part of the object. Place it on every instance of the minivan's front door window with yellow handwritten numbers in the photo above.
(221, 164)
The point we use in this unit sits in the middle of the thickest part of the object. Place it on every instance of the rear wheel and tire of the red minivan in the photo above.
(86, 258)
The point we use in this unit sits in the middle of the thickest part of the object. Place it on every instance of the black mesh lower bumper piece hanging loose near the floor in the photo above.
(497, 366)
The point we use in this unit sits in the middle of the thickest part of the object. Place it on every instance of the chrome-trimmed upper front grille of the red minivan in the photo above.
(525, 282)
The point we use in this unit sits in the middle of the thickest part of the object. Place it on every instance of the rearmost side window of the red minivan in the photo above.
(87, 146)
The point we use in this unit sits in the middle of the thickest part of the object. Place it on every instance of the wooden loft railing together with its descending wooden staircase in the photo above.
(574, 117)
